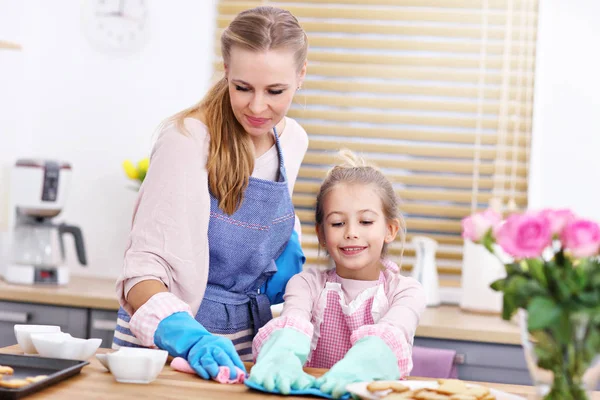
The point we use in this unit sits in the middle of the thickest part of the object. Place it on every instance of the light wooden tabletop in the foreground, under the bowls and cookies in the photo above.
(95, 381)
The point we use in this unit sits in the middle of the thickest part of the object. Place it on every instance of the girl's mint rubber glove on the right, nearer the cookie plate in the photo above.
(369, 359)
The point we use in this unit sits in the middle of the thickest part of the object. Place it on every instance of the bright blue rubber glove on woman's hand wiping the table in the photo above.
(182, 336)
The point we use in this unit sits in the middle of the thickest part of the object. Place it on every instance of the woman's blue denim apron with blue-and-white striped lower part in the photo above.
(242, 250)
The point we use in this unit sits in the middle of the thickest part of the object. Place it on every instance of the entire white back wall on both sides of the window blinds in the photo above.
(61, 98)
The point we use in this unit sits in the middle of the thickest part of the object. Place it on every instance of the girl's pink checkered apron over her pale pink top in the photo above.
(337, 327)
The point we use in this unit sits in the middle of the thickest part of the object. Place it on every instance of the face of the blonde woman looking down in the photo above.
(261, 87)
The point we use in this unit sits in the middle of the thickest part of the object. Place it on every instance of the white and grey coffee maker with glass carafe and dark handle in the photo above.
(39, 189)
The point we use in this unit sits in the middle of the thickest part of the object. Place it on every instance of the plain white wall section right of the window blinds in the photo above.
(565, 170)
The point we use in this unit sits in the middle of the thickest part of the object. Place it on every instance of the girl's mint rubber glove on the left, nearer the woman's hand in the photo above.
(279, 364)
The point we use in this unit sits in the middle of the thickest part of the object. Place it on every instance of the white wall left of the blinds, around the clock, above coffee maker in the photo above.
(95, 109)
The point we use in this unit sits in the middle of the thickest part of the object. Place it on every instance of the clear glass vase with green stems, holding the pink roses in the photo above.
(573, 374)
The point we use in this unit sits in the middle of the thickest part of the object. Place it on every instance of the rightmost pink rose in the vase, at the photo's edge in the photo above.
(581, 237)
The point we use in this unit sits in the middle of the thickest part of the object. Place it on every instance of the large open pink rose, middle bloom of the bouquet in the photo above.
(524, 235)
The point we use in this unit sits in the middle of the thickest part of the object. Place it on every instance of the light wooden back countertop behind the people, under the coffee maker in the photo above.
(444, 322)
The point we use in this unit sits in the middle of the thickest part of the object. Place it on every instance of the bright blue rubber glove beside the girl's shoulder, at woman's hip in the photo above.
(289, 263)
